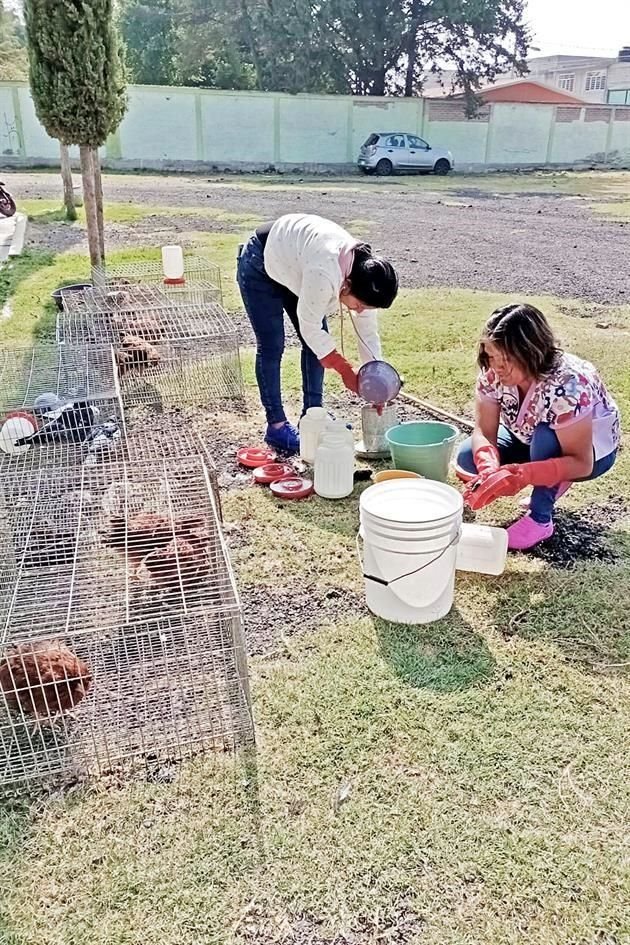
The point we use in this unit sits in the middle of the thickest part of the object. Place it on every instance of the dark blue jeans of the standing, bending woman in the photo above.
(266, 302)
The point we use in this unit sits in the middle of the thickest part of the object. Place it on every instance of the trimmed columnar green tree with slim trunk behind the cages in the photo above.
(78, 86)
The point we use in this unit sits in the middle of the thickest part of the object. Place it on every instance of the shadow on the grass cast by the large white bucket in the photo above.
(445, 656)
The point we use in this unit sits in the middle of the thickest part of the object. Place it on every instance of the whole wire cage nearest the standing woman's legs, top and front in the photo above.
(168, 353)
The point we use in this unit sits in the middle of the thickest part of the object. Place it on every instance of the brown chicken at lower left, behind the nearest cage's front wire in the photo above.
(44, 679)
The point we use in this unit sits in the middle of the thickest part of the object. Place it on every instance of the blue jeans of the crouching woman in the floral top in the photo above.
(544, 445)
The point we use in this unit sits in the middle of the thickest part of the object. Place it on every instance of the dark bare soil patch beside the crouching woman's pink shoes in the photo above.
(584, 535)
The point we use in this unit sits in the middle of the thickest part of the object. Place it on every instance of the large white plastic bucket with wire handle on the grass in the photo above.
(410, 530)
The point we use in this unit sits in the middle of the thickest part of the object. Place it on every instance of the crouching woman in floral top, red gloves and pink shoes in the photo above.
(544, 419)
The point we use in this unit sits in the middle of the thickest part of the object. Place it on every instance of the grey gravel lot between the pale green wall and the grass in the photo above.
(529, 243)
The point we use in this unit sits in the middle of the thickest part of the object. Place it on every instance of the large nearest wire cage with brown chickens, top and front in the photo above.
(120, 622)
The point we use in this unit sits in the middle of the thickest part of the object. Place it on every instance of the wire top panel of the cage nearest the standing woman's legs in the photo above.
(142, 312)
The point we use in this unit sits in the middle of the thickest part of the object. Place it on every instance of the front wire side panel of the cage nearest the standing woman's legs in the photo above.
(194, 372)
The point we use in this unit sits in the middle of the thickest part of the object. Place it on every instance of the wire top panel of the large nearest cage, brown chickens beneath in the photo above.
(110, 544)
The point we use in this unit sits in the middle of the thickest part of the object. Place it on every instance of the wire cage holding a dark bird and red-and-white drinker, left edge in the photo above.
(55, 402)
